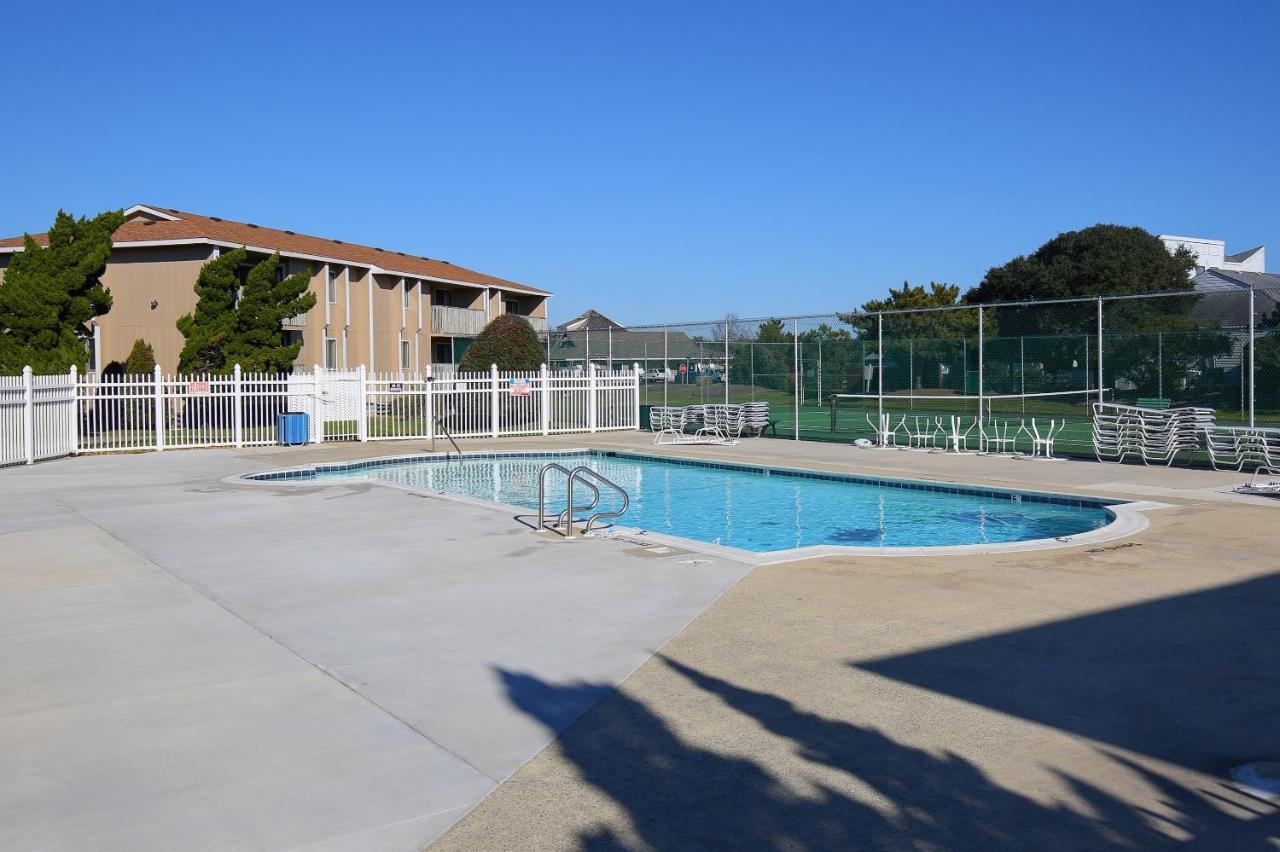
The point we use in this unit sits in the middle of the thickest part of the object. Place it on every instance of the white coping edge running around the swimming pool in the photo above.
(1128, 517)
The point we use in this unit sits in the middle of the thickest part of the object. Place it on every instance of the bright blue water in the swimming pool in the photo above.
(755, 510)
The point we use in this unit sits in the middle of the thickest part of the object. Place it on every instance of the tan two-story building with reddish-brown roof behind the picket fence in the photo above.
(378, 308)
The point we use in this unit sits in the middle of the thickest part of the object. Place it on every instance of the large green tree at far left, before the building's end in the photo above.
(52, 292)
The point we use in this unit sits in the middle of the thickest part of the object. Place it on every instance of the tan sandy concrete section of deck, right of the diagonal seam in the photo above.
(1077, 699)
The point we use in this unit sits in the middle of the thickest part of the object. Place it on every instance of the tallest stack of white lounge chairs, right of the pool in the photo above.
(1154, 436)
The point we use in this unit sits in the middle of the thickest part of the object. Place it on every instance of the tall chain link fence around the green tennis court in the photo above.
(835, 377)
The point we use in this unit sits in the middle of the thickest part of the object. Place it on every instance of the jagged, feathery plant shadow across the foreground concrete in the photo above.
(685, 796)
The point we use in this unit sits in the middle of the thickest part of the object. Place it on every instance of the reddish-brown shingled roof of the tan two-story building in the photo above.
(148, 225)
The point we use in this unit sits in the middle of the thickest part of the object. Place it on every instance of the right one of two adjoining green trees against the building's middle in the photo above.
(259, 343)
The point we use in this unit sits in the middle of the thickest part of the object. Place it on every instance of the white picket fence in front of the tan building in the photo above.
(68, 414)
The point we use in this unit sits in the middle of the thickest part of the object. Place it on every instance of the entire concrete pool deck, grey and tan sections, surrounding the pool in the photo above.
(214, 666)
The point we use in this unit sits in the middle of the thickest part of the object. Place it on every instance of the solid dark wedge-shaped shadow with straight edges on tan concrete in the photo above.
(1194, 680)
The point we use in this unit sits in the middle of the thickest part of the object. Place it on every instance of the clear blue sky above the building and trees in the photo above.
(660, 161)
